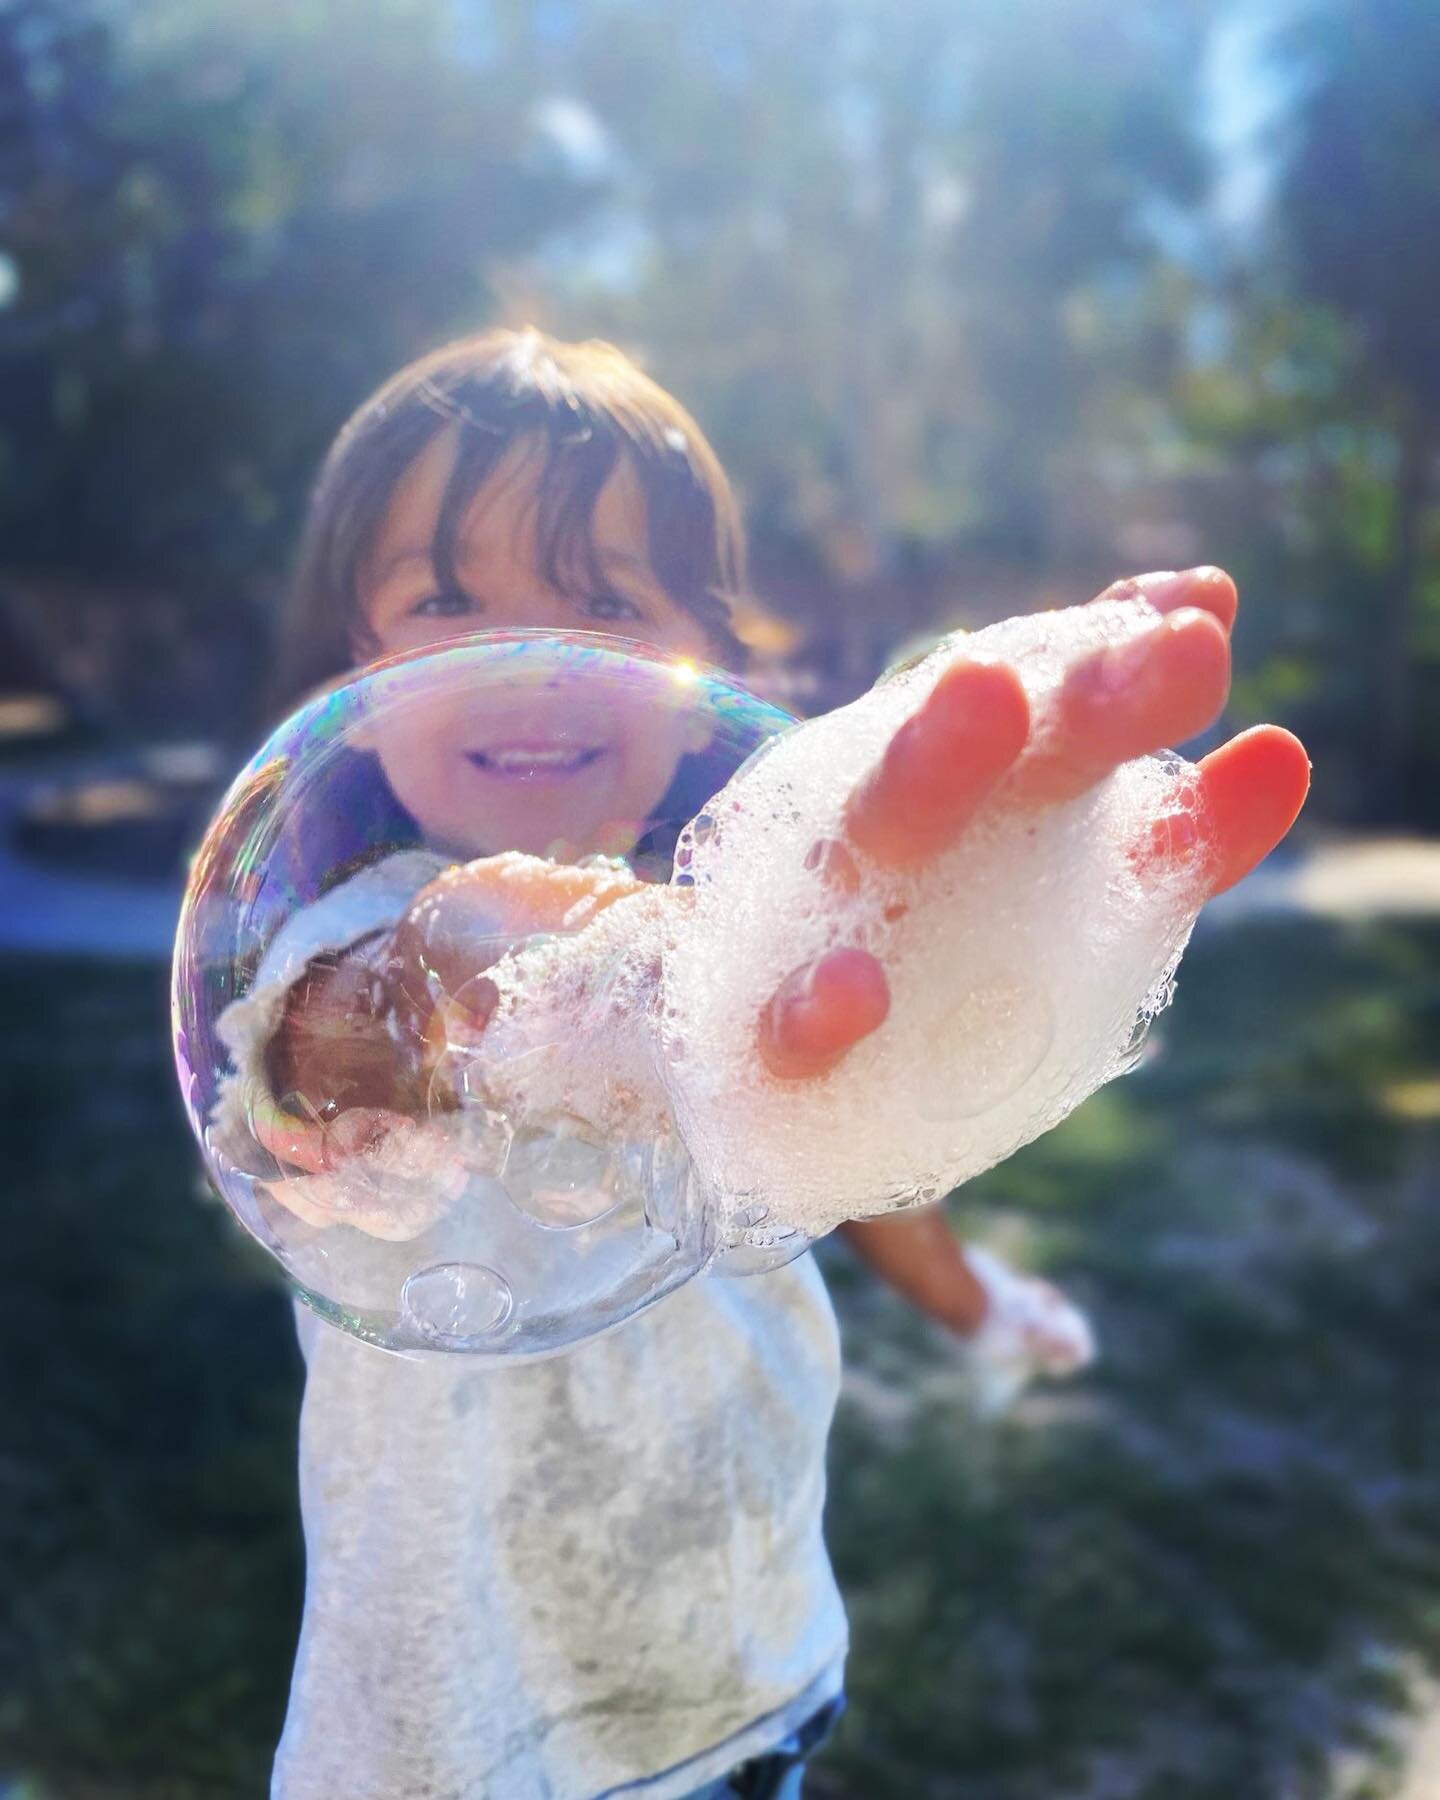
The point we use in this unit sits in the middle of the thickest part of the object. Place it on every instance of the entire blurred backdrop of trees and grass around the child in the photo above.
(984, 305)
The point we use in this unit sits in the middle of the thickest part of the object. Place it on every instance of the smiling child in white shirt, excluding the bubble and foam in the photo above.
(606, 1574)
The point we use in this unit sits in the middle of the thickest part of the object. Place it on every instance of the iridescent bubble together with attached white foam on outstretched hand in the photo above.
(474, 960)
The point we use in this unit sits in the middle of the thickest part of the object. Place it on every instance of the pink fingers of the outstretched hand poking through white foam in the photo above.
(975, 741)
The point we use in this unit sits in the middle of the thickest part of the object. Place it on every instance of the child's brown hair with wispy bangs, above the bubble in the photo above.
(588, 406)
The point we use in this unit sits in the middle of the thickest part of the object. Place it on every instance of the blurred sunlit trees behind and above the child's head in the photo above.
(949, 285)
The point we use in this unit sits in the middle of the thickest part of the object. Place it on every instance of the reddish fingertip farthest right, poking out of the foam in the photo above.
(1248, 796)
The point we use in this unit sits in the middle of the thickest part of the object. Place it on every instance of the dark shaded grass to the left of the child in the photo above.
(150, 1394)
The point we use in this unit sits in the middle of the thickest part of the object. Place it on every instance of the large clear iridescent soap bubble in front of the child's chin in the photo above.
(334, 984)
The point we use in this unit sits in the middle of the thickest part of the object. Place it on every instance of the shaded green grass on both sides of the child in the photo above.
(1205, 1572)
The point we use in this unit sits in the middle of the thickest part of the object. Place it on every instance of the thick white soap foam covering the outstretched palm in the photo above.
(1023, 964)
